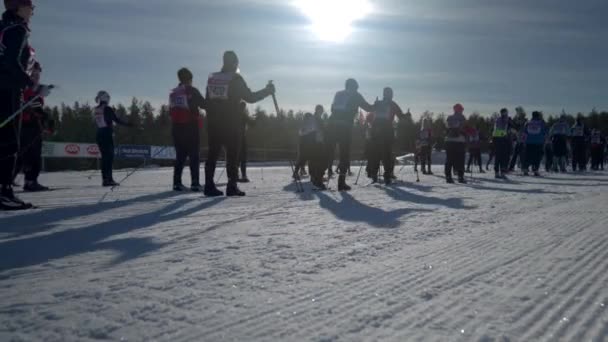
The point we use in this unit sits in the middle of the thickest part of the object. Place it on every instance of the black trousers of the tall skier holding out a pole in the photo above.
(227, 135)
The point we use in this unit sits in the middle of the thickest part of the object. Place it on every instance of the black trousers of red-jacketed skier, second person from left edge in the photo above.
(30, 160)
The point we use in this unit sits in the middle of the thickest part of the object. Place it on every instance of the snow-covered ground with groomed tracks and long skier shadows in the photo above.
(522, 260)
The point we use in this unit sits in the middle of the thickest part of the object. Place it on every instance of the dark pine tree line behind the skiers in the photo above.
(270, 136)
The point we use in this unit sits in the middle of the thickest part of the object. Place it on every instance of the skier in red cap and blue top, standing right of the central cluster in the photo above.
(455, 141)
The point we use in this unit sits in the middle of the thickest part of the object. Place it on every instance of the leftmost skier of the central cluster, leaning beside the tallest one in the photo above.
(312, 148)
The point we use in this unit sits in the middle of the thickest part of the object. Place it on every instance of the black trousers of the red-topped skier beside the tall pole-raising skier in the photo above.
(186, 139)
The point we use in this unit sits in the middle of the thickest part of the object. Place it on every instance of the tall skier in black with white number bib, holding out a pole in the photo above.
(225, 92)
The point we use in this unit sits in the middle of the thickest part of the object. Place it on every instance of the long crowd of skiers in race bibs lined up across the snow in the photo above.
(23, 124)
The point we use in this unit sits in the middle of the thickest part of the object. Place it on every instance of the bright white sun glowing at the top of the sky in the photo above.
(332, 19)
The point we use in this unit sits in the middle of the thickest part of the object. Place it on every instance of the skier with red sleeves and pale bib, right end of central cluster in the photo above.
(382, 134)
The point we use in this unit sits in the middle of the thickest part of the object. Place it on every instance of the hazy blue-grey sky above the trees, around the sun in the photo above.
(487, 54)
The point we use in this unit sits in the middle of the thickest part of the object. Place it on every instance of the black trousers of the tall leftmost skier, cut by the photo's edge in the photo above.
(9, 103)
